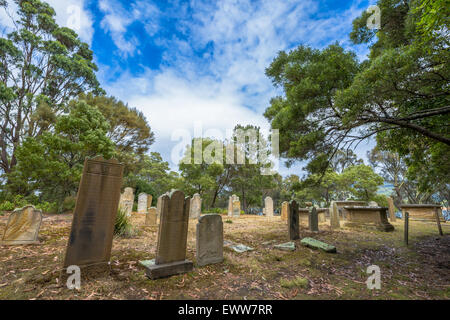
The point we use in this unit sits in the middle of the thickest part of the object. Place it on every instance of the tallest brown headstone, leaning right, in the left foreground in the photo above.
(94, 216)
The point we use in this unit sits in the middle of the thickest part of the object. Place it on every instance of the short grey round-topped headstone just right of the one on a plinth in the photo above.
(209, 239)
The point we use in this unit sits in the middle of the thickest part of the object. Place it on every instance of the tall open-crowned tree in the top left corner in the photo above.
(43, 66)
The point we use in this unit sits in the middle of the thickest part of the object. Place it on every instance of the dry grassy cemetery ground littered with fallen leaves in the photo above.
(420, 271)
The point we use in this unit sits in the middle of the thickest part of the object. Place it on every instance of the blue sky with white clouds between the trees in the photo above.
(201, 62)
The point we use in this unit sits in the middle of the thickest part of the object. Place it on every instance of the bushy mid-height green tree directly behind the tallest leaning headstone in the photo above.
(53, 162)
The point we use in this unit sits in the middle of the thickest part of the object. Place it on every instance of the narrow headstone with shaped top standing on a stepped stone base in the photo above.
(172, 238)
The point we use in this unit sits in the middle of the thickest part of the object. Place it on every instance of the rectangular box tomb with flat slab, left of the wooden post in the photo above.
(370, 217)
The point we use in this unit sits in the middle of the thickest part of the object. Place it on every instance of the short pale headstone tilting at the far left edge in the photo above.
(22, 227)
